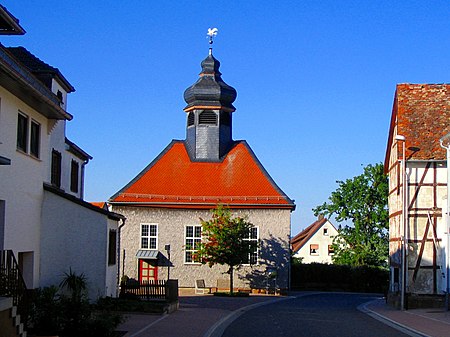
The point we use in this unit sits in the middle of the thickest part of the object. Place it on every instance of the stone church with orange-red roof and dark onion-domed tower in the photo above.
(163, 204)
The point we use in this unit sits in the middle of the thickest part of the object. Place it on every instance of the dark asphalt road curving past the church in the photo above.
(315, 315)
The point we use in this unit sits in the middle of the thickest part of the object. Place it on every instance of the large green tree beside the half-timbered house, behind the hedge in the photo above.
(363, 201)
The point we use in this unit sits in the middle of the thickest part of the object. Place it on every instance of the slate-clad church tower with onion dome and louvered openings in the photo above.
(209, 114)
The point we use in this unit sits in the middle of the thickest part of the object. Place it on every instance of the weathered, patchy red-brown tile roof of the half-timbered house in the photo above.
(422, 112)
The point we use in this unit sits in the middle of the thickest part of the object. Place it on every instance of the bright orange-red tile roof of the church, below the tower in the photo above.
(173, 180)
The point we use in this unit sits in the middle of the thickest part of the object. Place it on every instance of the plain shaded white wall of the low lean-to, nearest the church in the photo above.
(75, 237)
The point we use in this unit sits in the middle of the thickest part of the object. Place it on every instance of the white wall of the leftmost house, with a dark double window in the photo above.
(21, 182)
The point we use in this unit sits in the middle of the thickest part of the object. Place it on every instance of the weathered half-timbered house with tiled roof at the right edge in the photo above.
(416, 165)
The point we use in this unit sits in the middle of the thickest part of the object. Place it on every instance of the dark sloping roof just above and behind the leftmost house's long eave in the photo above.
(39, 68)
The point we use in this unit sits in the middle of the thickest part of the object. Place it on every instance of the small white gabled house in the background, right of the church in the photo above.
(315, 243)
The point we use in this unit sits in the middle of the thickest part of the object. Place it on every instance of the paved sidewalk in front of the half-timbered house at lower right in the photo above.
(415, 322)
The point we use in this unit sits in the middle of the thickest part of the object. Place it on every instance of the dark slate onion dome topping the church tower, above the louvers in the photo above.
(210, 91)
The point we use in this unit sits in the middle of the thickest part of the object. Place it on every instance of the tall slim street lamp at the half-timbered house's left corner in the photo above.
(402, 139)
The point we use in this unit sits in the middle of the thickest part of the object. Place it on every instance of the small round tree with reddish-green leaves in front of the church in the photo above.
(224, 241)
